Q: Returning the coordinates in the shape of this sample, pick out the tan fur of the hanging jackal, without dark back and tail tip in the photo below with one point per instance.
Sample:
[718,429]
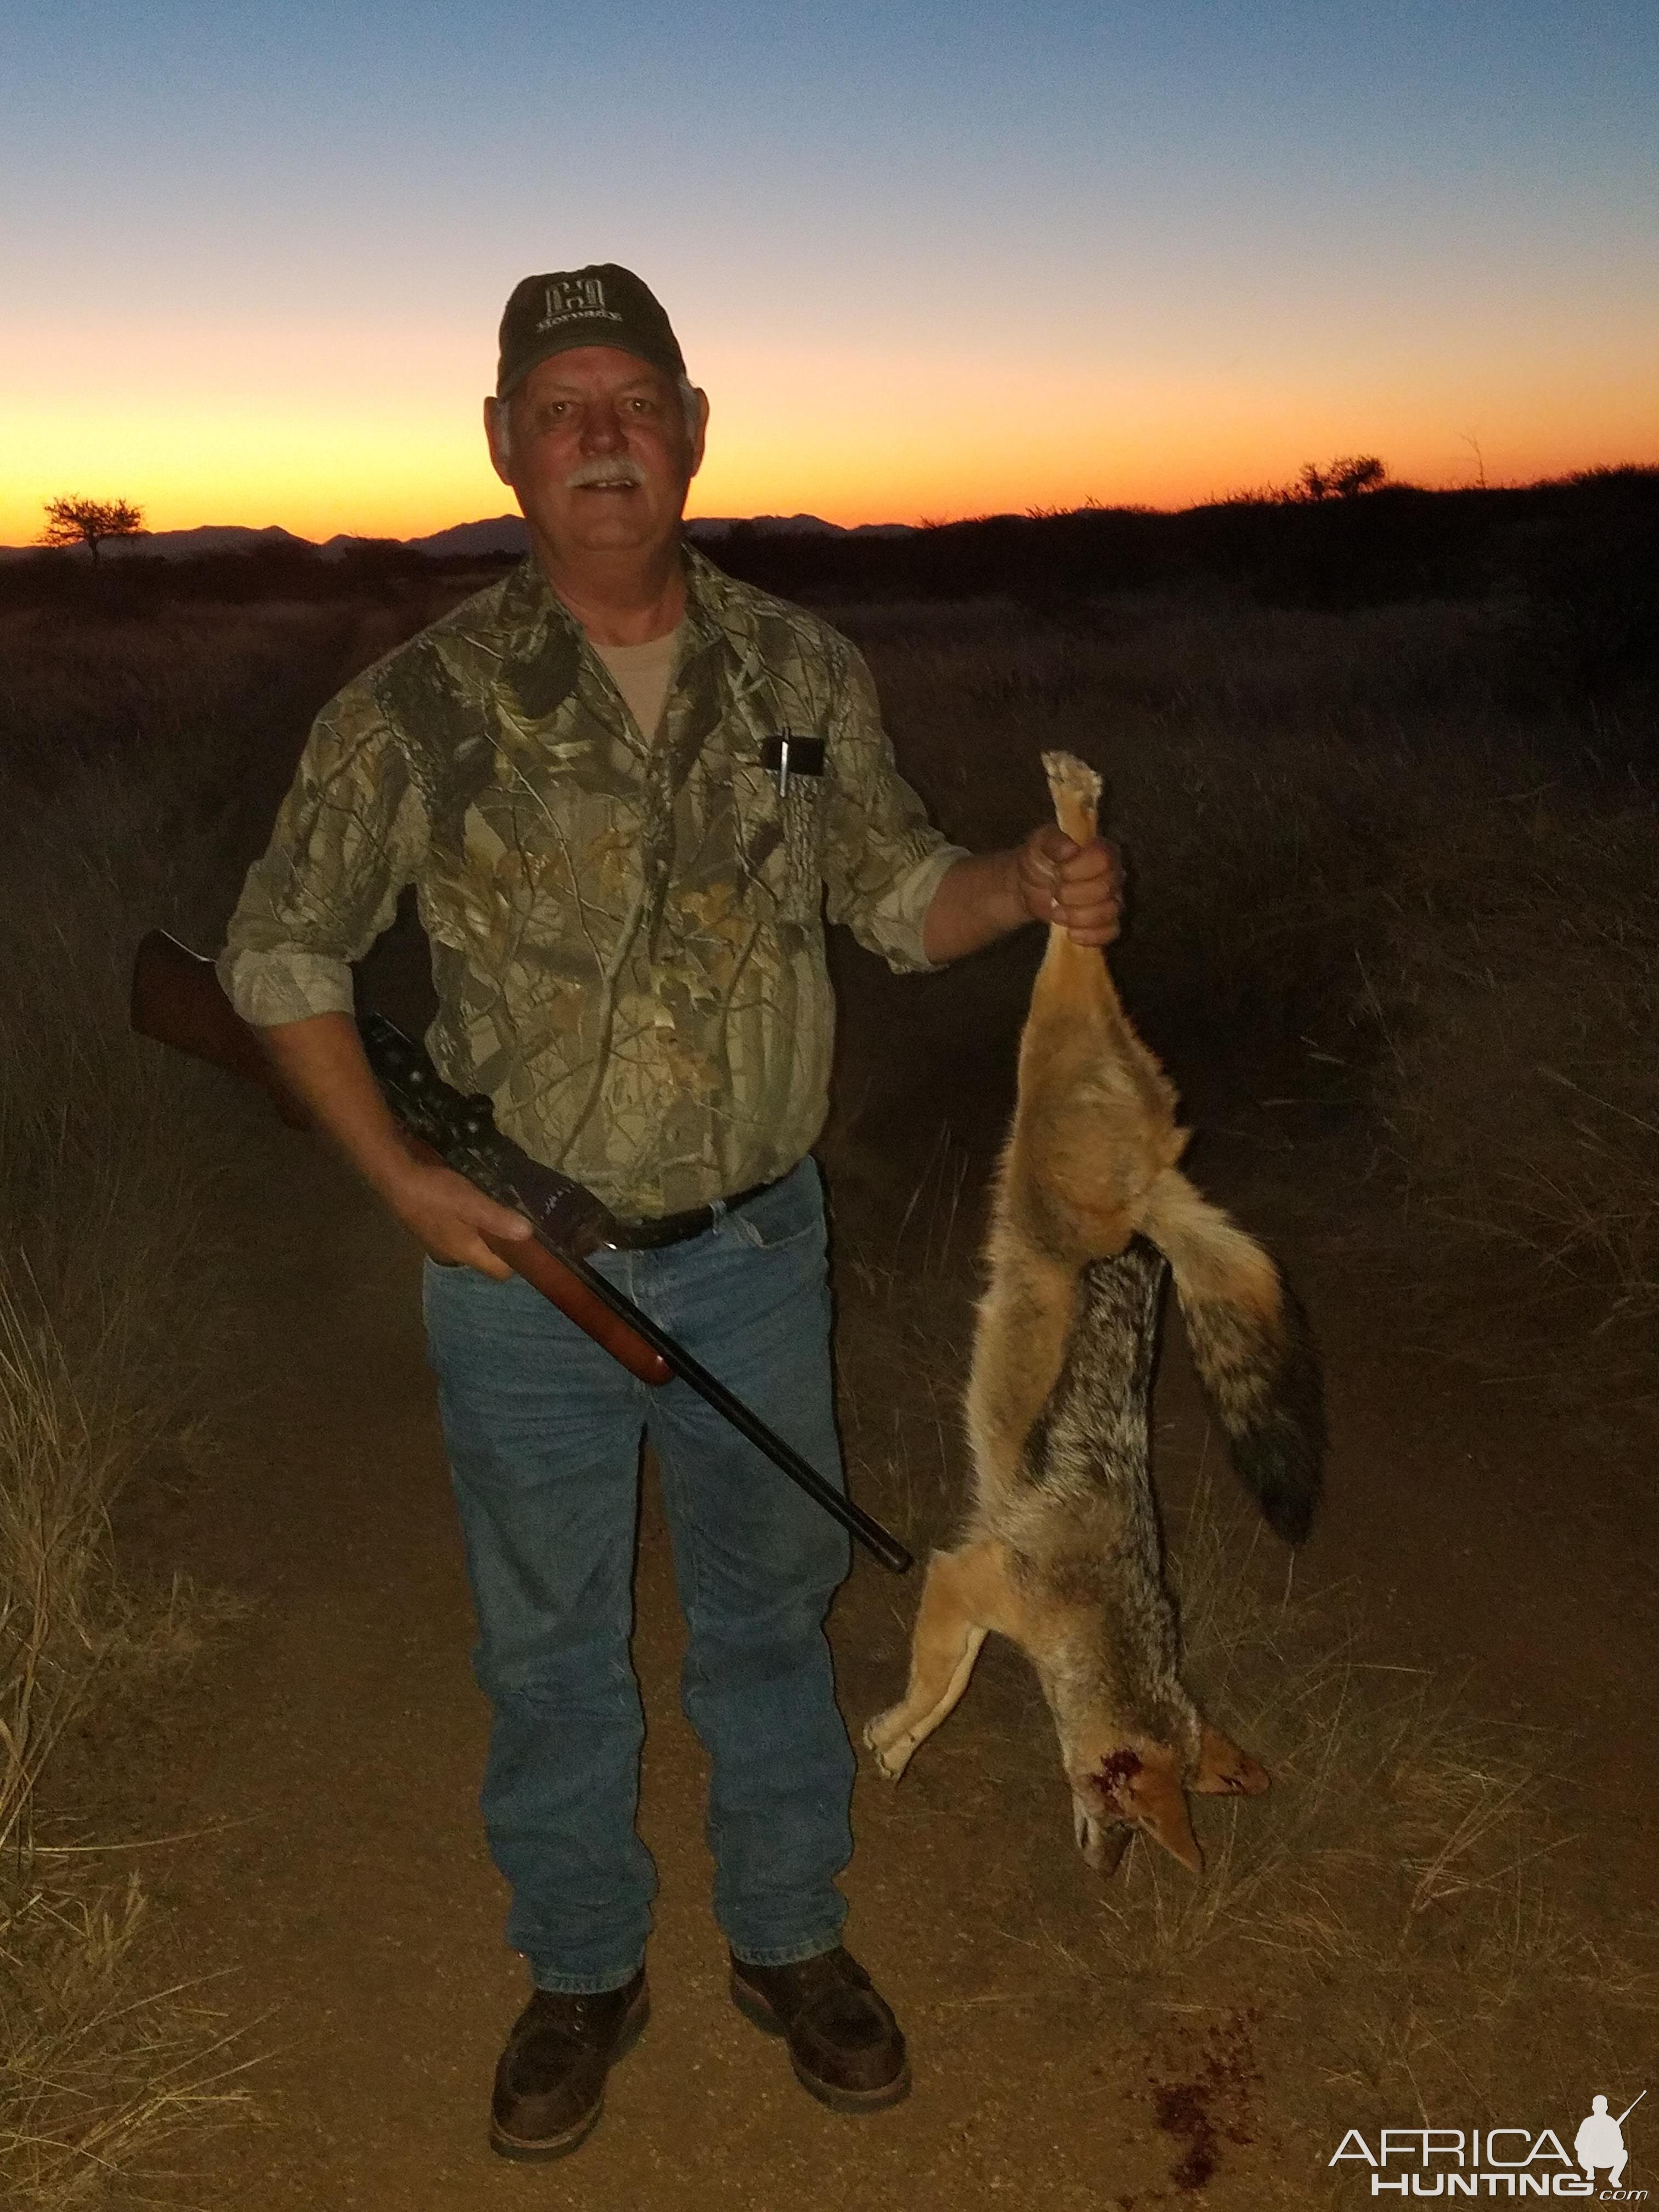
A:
[1063,1572]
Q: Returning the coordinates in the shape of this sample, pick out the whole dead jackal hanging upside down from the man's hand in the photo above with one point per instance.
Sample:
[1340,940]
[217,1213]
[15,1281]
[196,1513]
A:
[1063,1547]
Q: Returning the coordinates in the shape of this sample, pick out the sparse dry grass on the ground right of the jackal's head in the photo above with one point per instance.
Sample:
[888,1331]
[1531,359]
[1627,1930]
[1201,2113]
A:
[1404,1903]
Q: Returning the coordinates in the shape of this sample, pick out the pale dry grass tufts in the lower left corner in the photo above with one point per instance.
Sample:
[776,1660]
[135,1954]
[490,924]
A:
[98,2065]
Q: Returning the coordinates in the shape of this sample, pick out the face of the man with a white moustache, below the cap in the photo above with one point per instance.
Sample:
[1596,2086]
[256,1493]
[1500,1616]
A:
[596,450]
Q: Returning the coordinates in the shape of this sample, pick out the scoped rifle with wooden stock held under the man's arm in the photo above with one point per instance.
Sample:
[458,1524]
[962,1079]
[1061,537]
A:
[180,1001]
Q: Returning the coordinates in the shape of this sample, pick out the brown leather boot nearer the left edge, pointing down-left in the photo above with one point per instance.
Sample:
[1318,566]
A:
[550,2083]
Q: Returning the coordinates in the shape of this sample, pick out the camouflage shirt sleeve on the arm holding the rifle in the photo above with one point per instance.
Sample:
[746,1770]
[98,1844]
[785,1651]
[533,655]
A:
[346,842]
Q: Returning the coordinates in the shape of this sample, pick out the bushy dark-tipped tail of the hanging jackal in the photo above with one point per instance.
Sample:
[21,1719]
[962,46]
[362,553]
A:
[1251,1348]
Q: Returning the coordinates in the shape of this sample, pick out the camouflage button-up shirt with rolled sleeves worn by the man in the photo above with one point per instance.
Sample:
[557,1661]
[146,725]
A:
[627,937]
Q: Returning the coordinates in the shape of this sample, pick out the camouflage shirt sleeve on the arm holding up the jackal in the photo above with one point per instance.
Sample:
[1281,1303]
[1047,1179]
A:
[881,855]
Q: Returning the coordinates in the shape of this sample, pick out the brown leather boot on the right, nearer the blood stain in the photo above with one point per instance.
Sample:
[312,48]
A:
[846,2045]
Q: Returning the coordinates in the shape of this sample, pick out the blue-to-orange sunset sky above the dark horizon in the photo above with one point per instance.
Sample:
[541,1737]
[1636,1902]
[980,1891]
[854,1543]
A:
[928,260]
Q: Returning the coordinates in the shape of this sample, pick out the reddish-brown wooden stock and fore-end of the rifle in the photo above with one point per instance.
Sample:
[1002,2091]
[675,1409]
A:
[180,1001]
